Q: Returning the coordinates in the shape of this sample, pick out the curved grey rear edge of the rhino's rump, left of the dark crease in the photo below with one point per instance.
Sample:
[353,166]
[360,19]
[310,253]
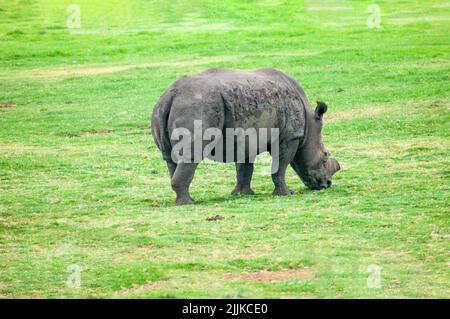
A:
[159,124]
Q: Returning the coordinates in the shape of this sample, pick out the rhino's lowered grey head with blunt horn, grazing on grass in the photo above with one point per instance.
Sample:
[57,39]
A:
[312,162]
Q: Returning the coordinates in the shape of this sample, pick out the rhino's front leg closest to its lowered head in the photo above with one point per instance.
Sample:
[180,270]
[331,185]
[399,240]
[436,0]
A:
[286,154]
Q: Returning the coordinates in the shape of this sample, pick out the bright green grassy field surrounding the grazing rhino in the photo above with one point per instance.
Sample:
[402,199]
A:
[86,208]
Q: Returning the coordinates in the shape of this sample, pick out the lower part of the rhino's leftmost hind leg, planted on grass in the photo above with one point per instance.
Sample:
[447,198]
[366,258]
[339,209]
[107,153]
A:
[181,180]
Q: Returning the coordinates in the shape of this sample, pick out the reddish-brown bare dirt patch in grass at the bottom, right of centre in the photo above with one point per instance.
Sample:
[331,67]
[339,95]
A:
[279,275]
